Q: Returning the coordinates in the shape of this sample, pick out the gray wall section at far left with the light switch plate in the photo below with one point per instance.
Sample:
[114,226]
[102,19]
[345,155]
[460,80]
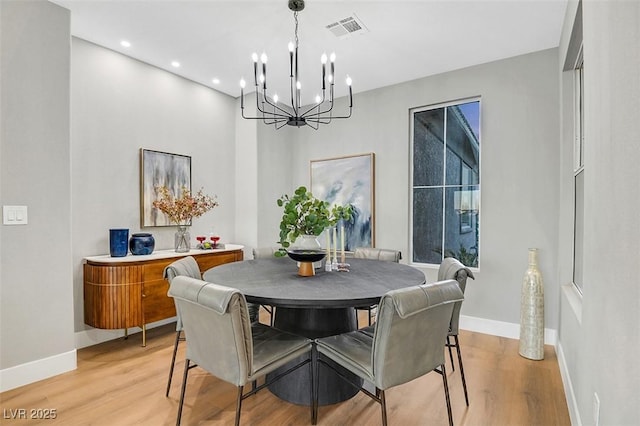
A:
[36,294]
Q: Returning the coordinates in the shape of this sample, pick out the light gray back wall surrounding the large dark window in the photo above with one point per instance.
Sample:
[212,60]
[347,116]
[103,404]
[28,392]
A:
[520,135]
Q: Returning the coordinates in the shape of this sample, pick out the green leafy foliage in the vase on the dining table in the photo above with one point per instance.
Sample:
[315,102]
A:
[304,214]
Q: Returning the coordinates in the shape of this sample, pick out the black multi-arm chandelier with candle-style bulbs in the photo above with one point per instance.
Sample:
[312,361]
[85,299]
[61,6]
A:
[295,114]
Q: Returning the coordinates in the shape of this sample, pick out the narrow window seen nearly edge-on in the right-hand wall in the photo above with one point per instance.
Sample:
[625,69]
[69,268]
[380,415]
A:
[578,176]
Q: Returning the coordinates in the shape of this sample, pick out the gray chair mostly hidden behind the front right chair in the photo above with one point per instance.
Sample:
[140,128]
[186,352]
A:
[452,269]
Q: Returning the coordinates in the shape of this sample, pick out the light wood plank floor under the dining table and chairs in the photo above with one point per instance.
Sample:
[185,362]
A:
[121,383]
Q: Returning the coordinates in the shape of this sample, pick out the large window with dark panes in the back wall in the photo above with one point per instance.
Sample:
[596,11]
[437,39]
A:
[445,181]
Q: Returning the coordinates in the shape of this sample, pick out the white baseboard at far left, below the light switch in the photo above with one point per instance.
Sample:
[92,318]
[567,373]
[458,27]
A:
[23,374]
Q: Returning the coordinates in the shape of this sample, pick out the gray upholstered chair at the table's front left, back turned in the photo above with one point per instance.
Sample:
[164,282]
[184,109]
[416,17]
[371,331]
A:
[226,344]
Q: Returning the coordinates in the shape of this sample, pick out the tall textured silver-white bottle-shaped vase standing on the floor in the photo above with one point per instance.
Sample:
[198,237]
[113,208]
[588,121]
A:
[532,311]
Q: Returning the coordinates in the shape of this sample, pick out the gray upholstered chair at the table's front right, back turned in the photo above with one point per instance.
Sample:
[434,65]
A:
[406,343]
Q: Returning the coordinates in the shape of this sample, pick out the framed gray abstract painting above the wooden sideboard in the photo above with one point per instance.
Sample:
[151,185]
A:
[161,169]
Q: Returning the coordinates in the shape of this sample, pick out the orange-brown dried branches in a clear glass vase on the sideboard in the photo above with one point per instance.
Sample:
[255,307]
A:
[181,210]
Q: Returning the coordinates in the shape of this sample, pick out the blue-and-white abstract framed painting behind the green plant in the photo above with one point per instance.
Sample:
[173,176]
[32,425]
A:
[349,180]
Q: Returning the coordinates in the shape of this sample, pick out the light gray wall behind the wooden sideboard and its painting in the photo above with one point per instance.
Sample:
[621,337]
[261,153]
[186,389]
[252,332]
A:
[119,106]
